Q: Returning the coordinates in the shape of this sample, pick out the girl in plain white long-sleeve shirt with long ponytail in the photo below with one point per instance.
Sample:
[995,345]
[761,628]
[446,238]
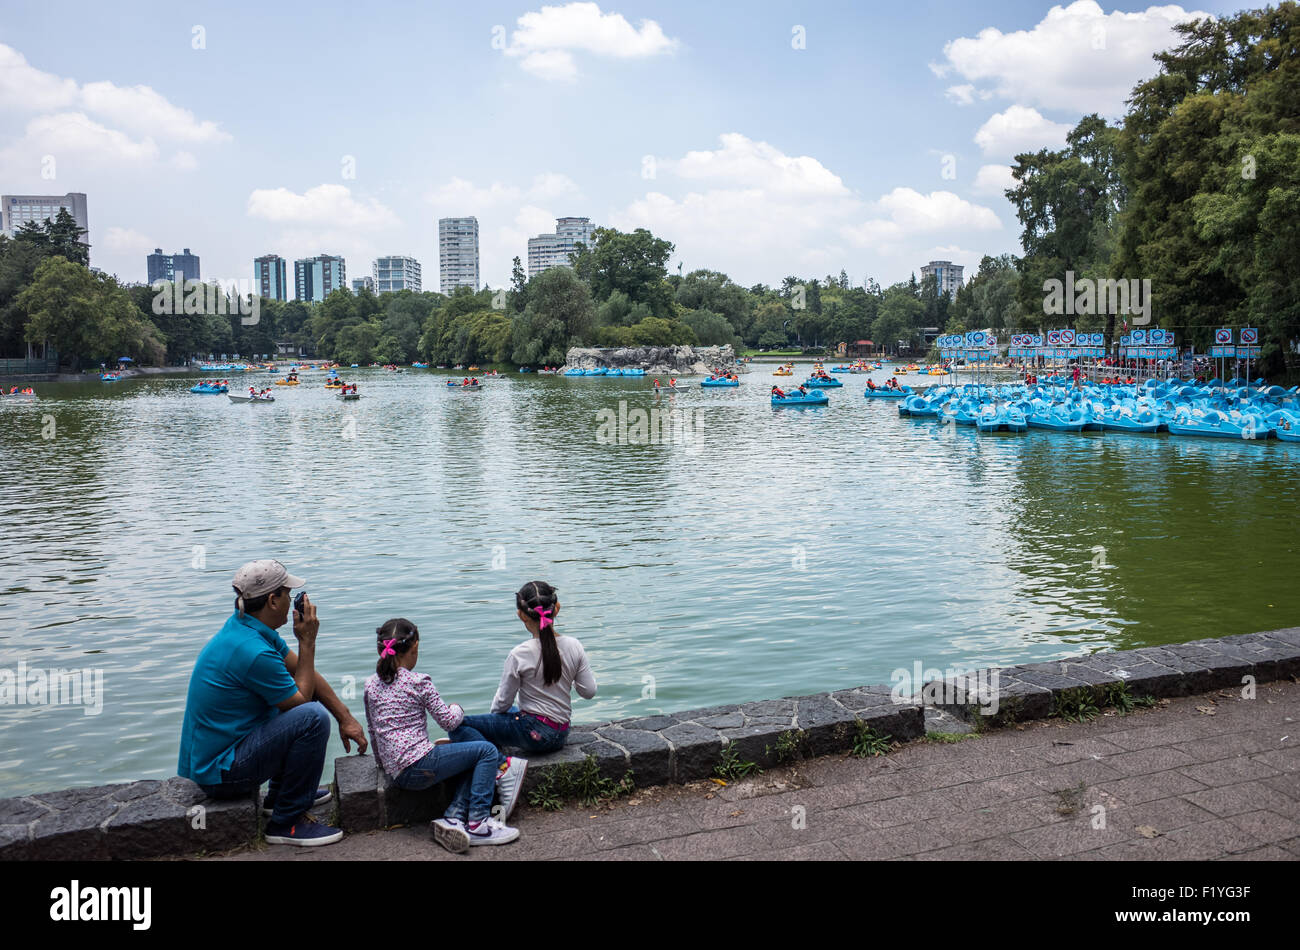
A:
[541,673]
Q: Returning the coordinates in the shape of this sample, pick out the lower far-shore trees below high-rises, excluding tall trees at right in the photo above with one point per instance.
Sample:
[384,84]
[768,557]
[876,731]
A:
[618,292]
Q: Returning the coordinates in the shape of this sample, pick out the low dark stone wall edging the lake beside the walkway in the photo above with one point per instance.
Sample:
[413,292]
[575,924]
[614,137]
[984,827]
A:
[153,819]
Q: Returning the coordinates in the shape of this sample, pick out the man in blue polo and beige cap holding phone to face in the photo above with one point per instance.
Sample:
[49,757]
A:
[258,712]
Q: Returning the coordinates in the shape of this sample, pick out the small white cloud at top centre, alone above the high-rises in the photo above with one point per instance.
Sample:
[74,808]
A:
[547,40]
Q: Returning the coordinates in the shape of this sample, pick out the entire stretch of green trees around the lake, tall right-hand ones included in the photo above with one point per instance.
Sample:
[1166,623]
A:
[1197,190]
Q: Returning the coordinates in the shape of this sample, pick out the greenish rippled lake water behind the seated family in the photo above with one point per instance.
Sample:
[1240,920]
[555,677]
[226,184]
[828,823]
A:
[774,553]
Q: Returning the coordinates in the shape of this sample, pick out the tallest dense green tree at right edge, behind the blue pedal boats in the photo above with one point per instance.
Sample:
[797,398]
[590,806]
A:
[1212,159]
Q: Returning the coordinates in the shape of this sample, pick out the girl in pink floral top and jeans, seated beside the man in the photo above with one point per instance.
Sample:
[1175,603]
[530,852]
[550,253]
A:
[397,702]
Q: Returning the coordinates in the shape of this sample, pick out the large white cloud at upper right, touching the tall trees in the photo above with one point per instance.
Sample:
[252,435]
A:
[1077,58]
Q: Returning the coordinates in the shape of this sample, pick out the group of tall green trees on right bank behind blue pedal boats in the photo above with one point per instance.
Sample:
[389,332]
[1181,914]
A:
[1197,190]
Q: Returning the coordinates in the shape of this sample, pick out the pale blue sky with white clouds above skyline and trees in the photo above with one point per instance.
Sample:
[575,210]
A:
[762,140]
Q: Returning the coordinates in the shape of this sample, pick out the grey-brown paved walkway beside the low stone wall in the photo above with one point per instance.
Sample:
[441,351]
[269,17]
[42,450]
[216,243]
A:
[1204,778]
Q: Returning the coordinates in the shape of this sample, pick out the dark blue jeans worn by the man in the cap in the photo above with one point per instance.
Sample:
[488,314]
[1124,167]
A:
[291,752]
